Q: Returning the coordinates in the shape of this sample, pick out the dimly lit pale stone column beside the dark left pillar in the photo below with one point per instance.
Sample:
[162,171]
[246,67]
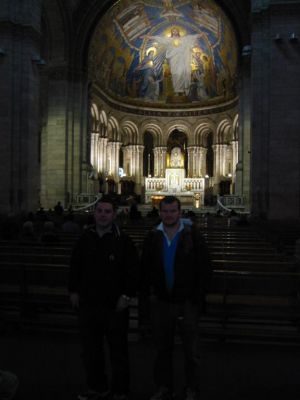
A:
[62,144]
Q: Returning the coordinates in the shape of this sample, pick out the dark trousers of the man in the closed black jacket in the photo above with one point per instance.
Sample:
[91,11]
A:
[96,324]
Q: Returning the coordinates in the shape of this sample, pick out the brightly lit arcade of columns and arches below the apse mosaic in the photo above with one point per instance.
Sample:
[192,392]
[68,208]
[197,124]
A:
[139,148]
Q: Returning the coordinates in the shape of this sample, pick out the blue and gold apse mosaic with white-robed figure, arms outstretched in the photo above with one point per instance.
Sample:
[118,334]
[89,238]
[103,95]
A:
[160,52]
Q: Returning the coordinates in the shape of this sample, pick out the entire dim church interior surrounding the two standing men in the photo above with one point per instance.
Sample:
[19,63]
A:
[142,99]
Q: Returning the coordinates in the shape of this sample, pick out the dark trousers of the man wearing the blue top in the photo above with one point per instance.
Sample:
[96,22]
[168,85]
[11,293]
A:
[165,318]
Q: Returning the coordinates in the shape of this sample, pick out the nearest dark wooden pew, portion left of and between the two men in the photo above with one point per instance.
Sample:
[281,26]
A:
[34,295]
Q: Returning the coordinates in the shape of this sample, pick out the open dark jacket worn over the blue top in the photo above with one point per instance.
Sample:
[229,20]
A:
[192,269]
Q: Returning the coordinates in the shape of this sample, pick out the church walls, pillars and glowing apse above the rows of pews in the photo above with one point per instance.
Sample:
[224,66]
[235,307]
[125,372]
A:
[153,97]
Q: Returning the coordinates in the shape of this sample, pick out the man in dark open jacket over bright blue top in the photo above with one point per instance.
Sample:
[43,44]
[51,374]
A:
[175,276]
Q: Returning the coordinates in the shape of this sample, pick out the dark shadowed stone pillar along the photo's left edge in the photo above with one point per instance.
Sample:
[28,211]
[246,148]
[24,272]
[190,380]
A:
[21,68]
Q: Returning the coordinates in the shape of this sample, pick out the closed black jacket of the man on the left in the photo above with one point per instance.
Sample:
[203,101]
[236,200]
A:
[102,269]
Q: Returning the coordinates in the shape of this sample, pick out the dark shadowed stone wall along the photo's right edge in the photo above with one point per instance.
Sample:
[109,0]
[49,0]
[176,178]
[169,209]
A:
[275,83]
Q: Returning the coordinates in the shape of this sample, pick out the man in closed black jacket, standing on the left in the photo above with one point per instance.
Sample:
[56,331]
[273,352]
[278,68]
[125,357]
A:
[103,278]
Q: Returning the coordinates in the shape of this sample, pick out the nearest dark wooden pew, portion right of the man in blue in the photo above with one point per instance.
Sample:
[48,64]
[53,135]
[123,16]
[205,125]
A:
[249,304]
